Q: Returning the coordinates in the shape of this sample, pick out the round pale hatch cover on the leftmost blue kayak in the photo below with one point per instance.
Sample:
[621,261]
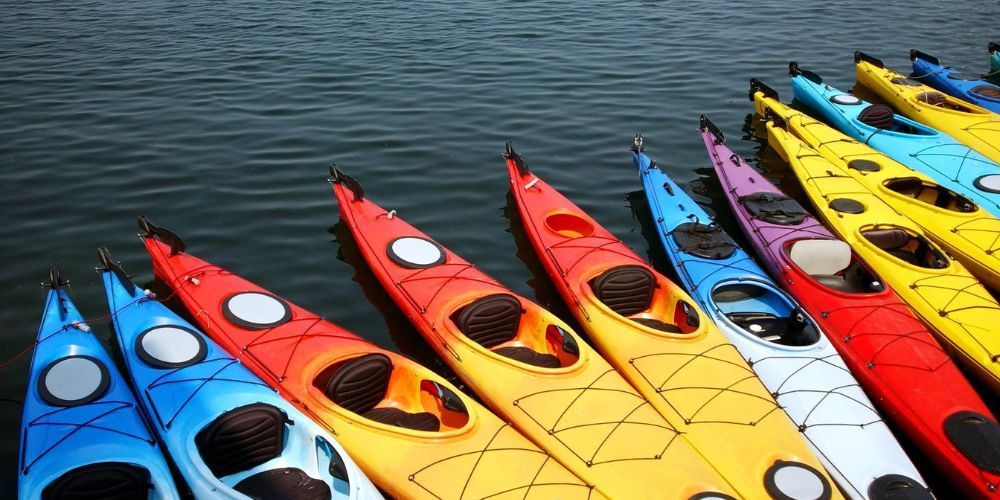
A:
[73,380]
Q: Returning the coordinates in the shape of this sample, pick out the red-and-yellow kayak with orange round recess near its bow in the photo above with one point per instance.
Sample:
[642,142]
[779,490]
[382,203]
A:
[655,335]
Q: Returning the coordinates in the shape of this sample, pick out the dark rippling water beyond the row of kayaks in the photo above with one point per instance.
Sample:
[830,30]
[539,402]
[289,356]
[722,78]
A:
[218,119]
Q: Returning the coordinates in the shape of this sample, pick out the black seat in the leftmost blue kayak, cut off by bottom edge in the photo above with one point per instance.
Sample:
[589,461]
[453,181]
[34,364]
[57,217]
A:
[104,480]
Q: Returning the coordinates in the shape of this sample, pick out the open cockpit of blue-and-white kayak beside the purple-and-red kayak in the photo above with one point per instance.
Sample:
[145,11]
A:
[764,313]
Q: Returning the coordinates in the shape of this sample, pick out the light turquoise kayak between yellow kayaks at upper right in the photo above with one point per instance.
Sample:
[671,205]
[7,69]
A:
[922,148]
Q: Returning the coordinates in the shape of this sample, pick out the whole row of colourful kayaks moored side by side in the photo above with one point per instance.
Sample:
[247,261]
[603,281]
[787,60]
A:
[741,380]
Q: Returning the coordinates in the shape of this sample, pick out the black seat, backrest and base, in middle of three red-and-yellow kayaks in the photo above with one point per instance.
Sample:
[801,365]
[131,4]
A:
[495,319]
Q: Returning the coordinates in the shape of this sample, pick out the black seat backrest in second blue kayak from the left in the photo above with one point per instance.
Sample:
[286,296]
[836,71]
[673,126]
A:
[242,439]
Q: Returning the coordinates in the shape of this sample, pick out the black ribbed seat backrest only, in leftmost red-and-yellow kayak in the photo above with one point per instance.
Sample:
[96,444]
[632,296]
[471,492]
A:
[361,383]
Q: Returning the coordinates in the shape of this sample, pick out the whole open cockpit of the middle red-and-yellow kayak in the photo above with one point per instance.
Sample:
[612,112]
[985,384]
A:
[501,323]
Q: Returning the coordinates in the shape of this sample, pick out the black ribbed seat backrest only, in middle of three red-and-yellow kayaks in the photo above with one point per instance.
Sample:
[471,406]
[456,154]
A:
[490,320]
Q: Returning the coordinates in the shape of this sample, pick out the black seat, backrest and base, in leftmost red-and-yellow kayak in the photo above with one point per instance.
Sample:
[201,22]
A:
[360,384]
